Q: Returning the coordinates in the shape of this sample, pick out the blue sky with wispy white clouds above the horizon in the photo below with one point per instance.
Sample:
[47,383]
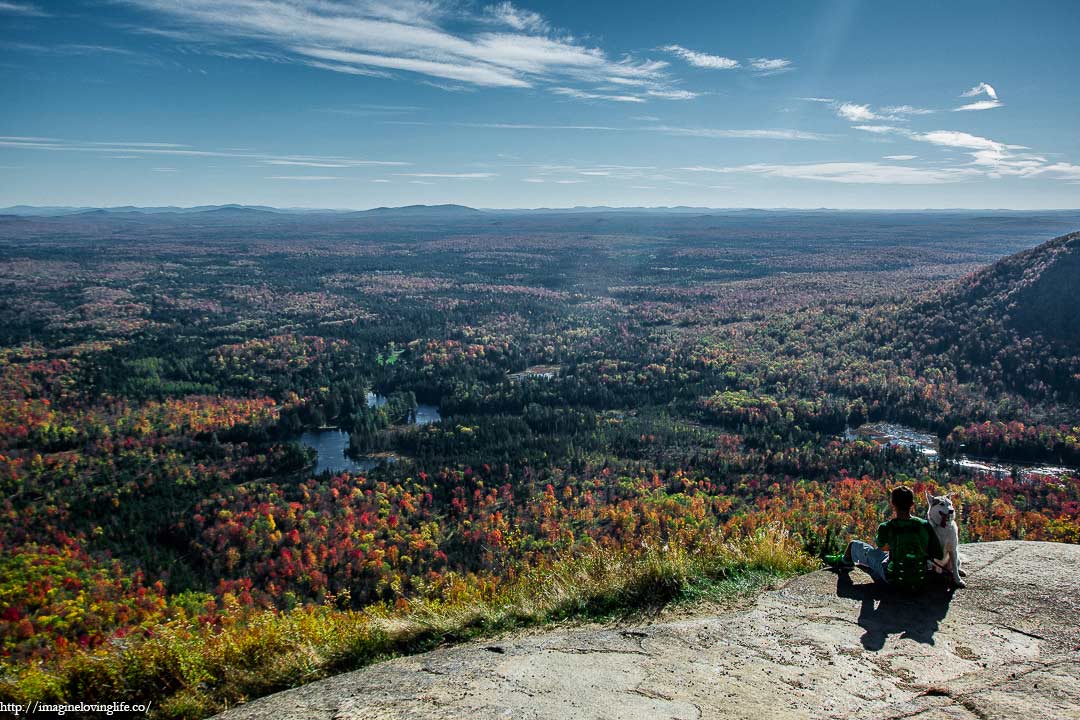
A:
[359,104]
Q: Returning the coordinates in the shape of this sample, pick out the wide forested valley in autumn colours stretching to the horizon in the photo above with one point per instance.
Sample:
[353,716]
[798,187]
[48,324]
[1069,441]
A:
[255,420]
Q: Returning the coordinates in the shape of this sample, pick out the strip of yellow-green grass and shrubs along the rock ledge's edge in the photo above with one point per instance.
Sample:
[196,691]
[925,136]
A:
[192,670]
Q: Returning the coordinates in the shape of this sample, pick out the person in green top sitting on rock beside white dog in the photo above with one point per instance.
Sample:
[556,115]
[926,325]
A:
[904,545]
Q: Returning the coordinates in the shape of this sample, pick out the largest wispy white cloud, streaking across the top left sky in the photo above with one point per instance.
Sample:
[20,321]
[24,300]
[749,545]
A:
[502,46]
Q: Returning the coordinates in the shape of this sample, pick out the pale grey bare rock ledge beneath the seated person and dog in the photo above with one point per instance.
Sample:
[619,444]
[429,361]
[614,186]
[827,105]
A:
[823,646]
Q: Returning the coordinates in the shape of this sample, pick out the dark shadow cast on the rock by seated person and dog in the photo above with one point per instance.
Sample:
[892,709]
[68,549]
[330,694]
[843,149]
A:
[885,612]
